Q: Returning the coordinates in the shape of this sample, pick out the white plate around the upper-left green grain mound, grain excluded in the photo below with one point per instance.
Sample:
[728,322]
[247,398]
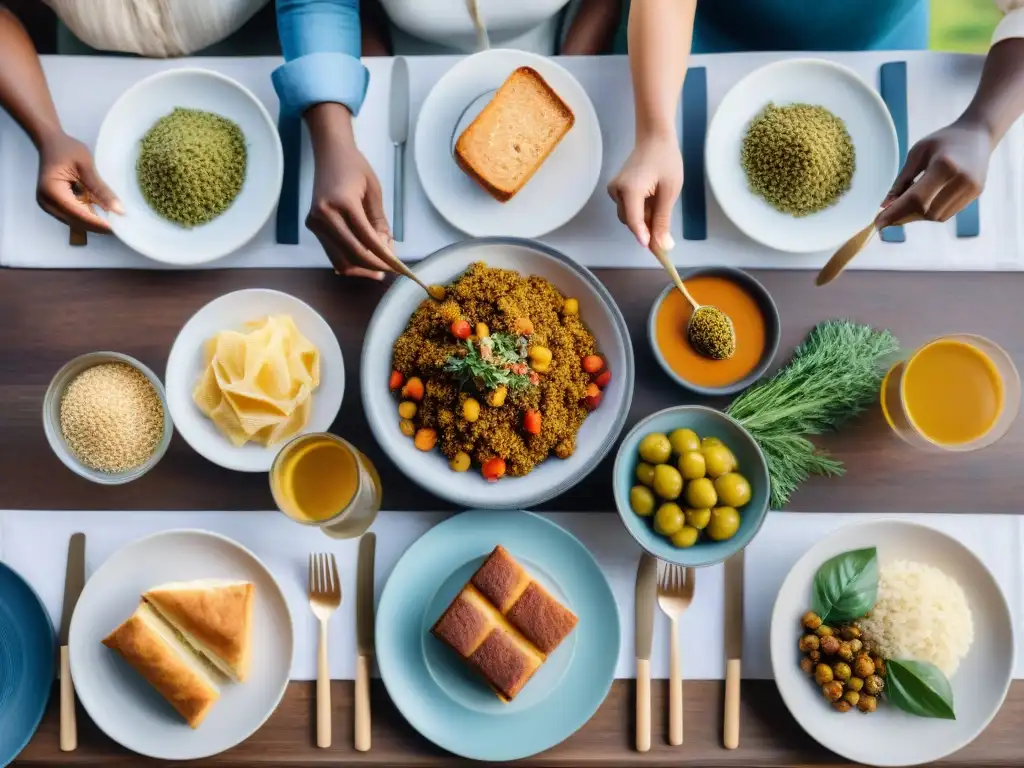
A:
[117,154]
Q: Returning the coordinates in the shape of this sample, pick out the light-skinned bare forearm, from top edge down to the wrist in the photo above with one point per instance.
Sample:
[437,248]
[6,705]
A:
[660,36]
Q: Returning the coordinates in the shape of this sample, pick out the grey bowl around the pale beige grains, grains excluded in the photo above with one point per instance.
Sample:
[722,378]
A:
[52,419]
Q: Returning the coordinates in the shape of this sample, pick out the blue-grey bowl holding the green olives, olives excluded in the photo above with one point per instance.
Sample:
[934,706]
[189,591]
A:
[707,422]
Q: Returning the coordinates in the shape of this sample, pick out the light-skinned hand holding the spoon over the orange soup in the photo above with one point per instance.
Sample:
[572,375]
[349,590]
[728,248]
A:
[648,188]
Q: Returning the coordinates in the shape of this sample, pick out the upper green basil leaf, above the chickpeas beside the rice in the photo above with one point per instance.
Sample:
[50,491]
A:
[846,587]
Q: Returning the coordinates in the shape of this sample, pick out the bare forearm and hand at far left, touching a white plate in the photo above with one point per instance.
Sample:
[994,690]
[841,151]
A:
[68,182]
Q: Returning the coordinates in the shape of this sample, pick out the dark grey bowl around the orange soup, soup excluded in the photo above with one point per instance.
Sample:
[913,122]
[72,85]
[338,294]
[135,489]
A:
[774,328]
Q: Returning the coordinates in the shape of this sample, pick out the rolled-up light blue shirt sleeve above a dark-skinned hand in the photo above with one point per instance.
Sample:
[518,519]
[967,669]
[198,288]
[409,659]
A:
[321,40]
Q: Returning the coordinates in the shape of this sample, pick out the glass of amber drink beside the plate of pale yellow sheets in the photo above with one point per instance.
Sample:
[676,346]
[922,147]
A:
[321,480]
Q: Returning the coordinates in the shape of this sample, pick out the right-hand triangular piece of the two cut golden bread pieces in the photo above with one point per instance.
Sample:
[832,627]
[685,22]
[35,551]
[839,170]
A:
[215,616]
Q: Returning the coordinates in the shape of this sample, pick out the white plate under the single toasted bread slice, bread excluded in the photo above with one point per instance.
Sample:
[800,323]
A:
[560,189]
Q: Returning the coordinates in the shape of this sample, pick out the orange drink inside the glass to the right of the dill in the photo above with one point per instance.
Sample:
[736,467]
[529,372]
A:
[953,393]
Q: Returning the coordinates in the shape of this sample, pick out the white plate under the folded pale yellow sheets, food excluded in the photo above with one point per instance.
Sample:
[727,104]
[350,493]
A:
[185,366]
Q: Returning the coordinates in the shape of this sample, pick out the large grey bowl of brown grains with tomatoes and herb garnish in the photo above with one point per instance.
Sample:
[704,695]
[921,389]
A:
[511,390]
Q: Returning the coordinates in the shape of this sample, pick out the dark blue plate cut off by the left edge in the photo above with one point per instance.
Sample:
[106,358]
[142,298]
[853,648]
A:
[28,654]
